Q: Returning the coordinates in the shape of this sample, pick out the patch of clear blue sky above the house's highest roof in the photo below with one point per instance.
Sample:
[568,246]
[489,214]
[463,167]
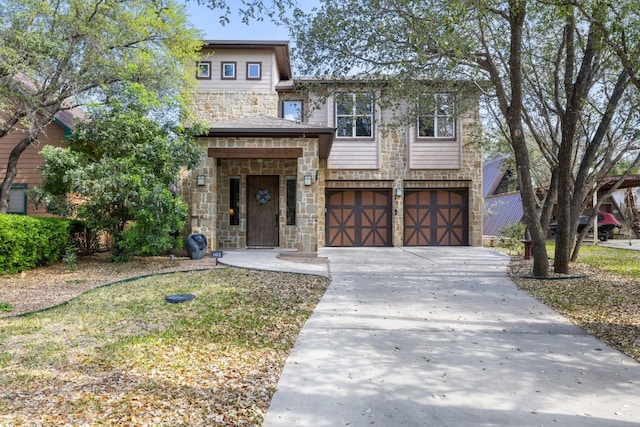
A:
[207,21]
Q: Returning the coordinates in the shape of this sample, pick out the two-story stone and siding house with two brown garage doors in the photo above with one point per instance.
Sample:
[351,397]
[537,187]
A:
[277,173]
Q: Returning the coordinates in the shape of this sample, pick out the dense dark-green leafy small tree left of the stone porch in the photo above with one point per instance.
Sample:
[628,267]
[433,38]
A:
[119,166]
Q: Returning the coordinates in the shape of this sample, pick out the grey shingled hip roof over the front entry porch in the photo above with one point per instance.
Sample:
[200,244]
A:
[272,127]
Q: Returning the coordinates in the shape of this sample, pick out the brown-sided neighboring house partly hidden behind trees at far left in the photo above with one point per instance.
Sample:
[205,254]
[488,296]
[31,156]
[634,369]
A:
[29,175]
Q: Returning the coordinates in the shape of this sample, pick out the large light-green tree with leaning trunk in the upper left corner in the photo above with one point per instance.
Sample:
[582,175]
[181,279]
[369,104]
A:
[55,55]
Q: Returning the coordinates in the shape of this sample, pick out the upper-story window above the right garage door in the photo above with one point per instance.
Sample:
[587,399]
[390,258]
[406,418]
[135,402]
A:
[437,119]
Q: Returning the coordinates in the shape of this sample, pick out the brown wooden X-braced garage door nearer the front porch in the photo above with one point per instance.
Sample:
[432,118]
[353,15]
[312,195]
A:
[358,218]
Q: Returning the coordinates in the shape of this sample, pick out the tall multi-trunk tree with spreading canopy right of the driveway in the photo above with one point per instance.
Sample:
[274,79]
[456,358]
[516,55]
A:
[513,45]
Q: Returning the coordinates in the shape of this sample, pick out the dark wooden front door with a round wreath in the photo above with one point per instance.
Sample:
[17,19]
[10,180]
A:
[262,211]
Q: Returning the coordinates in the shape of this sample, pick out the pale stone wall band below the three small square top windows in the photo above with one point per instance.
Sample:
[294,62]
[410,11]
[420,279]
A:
[214,106]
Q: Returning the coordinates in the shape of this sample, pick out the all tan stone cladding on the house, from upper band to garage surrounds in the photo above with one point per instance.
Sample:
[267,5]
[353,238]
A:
[309,232]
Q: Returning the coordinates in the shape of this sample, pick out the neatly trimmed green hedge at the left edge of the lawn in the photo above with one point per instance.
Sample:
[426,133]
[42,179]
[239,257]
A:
[28,242]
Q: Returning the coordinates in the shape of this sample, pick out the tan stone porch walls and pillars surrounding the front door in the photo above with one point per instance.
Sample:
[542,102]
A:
[210,216]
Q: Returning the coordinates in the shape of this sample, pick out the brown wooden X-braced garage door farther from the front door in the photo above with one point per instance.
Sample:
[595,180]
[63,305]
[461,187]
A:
[436,217]
